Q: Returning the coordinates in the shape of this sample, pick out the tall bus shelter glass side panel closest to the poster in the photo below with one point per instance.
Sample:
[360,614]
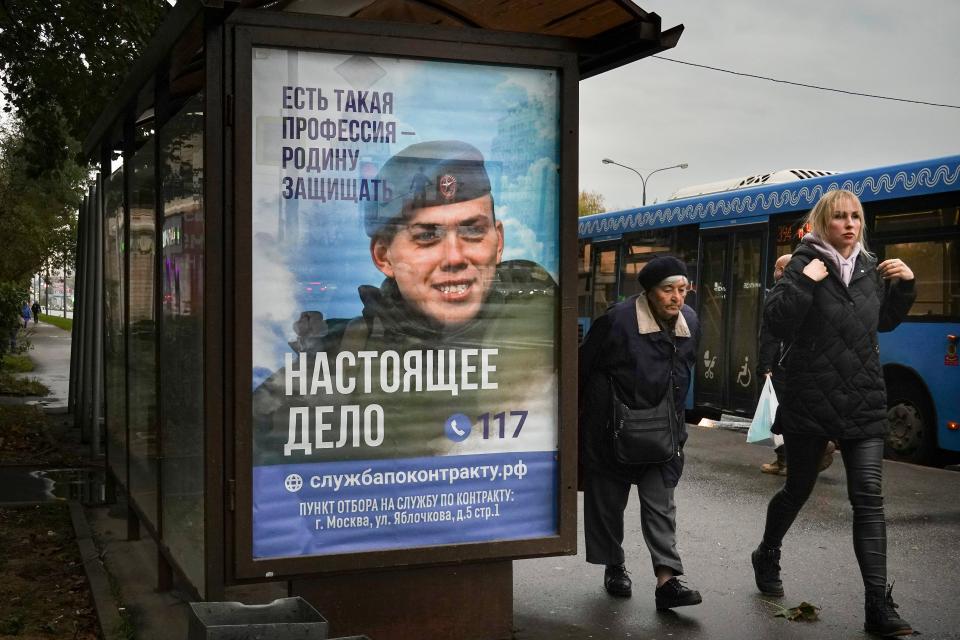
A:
[181,338]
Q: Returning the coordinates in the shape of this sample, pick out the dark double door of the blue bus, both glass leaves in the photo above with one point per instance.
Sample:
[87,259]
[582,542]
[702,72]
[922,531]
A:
[729,295]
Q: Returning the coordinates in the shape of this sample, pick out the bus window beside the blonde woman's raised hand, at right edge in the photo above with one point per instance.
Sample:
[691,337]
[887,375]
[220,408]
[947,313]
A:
[936,266]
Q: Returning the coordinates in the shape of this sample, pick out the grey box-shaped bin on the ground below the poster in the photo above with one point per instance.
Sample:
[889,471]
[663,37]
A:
[282,619]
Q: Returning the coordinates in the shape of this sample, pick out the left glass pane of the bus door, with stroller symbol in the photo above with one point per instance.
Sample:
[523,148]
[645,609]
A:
[713,306]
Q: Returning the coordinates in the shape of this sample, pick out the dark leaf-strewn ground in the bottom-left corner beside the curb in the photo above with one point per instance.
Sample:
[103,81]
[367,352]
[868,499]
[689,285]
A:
[43,587]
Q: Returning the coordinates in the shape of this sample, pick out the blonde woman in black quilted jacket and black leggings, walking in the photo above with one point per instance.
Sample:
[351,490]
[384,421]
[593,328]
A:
[829,305]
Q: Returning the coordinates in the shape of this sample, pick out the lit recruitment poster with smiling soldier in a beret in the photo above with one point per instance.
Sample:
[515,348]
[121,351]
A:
[405,303]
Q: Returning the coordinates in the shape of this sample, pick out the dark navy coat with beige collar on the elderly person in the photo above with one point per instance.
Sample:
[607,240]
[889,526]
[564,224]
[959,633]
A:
[626,346]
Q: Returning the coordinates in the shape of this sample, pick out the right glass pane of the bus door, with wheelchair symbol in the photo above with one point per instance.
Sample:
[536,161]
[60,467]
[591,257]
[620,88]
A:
[746,292]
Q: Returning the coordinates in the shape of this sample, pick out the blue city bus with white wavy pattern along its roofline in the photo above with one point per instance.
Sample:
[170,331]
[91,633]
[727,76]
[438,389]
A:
[729,241]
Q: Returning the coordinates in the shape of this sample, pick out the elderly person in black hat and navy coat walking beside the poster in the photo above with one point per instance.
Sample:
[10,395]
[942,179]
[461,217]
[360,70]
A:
[639,353]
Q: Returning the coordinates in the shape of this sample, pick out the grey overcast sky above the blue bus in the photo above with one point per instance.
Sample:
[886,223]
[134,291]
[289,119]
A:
[655,113]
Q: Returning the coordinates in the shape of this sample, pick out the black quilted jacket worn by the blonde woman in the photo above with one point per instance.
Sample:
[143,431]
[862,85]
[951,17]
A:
[834,382]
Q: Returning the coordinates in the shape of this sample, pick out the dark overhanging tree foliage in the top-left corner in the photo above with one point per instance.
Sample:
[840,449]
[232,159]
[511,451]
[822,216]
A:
[61,60]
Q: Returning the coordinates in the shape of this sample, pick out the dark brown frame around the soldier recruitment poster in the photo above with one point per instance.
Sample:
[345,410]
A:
[380,39]
